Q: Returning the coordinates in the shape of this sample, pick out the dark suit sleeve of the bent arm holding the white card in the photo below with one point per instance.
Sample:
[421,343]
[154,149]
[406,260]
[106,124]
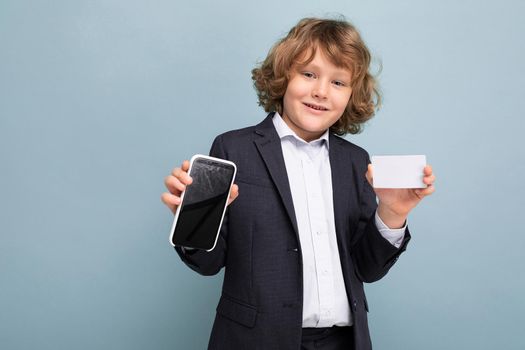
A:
[372,254]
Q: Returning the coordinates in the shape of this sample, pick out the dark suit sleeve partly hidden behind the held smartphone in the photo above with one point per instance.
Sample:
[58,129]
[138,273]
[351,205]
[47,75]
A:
[201,261]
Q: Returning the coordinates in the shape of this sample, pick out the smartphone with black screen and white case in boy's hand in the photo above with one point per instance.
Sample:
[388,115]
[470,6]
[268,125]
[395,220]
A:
[198,218]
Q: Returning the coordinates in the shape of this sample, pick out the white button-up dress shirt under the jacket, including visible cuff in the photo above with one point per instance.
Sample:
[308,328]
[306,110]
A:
[325,302]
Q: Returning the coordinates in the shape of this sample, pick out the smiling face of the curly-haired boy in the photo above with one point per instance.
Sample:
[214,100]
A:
[316,97]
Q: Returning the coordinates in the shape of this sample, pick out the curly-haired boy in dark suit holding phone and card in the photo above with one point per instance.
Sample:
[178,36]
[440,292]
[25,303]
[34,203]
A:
[303,230]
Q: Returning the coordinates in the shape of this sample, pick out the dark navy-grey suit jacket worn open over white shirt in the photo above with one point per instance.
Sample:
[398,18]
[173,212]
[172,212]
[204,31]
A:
[261,302]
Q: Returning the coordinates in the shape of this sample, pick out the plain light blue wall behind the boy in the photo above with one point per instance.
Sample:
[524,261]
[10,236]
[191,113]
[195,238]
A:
[99,100]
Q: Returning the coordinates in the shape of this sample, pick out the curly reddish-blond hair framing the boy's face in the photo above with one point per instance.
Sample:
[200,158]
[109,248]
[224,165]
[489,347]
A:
[342,44]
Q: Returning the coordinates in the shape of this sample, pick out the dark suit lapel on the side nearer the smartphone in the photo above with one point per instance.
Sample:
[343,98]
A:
[269,146]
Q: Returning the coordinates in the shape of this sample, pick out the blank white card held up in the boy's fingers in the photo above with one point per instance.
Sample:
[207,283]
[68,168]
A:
[398,171]
